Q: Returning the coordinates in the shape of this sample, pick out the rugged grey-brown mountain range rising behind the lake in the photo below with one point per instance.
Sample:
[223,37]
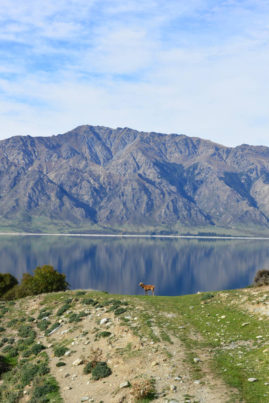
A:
[97,176]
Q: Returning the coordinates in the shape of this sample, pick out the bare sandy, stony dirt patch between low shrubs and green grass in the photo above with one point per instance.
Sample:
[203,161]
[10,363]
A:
[133,361]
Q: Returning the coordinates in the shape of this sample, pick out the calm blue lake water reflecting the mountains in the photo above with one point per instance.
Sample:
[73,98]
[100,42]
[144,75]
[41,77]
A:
[175,266]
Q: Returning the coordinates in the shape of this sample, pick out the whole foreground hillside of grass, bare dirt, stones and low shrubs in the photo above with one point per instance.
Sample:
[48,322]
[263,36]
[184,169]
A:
[90,346]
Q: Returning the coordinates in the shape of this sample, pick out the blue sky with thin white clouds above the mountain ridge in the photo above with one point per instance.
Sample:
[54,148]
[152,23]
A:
[197,67]
